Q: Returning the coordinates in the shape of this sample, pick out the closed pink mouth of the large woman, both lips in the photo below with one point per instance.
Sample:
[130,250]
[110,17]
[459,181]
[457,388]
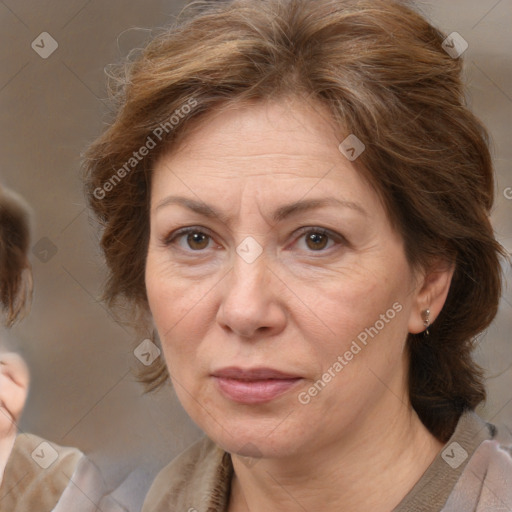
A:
[254,385]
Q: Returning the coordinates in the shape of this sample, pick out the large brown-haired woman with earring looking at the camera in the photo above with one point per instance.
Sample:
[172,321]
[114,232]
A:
[296,194]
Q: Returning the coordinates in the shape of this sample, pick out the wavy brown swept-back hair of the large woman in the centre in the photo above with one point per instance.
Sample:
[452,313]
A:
[381,70]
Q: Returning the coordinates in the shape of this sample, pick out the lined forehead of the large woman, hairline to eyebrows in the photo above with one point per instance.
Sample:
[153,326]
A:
[273,149]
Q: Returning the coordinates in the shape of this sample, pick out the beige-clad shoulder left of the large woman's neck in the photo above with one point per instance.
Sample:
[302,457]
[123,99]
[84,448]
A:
[191,480]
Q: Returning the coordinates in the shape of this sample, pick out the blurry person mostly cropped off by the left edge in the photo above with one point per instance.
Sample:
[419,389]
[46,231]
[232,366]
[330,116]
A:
[35,475]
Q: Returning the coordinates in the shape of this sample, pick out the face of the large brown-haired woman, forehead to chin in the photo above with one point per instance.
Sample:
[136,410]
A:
[283,328]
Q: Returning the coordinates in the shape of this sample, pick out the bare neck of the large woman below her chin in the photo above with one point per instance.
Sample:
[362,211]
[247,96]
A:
[390,449]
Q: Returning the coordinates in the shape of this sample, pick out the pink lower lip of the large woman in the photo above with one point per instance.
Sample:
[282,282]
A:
[256,391]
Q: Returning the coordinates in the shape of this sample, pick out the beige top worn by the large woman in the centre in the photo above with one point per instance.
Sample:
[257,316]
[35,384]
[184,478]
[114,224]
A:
[473,472]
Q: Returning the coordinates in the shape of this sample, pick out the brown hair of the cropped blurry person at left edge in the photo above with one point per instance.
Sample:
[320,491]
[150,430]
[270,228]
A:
[15,271]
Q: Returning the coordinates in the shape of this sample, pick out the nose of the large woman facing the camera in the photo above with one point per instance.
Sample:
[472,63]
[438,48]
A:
[252,297]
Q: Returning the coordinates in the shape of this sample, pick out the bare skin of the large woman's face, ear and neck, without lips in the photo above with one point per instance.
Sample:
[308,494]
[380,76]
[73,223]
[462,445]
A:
[296,308]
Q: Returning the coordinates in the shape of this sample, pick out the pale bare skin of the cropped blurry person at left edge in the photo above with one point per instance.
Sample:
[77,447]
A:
[14,383]
